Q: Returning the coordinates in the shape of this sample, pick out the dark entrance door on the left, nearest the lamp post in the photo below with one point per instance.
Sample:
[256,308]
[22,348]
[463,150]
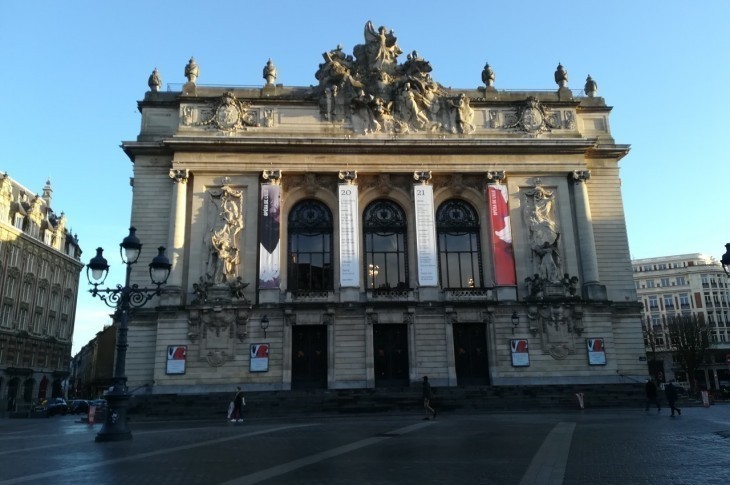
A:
[309,357]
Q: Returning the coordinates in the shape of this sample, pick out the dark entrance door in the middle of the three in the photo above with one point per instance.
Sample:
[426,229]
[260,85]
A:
[390,344]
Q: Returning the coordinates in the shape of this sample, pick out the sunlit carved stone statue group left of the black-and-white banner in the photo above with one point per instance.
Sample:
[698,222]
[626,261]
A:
[223,236]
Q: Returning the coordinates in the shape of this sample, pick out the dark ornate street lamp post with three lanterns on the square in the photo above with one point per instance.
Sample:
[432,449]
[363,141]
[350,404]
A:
[124,299]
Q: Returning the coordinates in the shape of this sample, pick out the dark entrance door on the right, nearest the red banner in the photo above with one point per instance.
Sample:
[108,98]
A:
[470,352]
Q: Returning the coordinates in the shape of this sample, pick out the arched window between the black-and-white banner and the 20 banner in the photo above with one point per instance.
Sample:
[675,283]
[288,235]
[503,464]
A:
[310,247]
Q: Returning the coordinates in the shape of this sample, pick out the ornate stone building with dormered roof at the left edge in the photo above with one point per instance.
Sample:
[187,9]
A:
[39,281]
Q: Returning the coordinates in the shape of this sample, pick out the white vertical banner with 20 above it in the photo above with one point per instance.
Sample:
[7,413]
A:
[349,233]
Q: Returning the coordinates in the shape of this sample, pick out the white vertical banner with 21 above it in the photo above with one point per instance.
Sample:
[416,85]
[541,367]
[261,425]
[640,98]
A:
[425,235]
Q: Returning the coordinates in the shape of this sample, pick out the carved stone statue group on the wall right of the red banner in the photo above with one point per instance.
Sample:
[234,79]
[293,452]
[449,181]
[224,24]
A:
[543,235]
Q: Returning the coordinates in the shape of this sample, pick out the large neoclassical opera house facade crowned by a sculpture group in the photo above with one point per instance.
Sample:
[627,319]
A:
[377,227]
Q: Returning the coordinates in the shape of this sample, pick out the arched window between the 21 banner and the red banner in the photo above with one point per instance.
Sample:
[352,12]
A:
[460,260]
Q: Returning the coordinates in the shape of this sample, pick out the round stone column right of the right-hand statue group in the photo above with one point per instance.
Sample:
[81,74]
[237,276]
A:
[592,289]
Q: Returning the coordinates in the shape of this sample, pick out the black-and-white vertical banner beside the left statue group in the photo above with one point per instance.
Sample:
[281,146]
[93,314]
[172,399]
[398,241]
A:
[269,245]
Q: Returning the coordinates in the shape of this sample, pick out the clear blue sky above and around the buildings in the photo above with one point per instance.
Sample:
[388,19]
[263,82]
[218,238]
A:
[72,72]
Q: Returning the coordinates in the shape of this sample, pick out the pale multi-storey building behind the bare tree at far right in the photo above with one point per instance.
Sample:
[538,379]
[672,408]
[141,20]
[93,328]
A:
[686,284]
